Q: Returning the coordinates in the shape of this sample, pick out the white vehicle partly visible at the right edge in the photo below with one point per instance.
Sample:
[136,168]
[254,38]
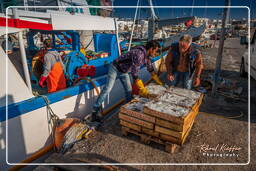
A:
[244,59]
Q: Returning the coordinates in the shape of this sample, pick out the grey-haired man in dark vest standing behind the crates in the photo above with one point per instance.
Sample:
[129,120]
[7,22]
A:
[184,63]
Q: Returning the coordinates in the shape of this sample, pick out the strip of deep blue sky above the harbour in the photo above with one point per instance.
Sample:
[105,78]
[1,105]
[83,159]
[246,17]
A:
[238,13]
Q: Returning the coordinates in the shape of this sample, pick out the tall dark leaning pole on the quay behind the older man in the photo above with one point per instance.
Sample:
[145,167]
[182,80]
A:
[221,46]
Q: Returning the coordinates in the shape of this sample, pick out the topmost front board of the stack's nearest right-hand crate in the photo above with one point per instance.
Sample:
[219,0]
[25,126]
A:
[174,119]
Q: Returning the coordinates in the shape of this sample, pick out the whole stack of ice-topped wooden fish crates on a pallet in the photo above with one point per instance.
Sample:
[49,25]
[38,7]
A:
[166,119]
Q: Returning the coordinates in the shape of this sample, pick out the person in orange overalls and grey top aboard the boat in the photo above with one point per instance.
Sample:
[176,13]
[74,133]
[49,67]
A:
[53,69]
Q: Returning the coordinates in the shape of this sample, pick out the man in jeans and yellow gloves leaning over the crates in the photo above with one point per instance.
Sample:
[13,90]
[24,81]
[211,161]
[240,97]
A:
[120,68]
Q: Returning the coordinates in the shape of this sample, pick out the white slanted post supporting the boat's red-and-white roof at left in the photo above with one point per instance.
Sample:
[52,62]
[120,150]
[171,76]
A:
[23,54]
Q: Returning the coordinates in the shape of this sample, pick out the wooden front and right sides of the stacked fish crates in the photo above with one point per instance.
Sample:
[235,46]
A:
[158,126]
